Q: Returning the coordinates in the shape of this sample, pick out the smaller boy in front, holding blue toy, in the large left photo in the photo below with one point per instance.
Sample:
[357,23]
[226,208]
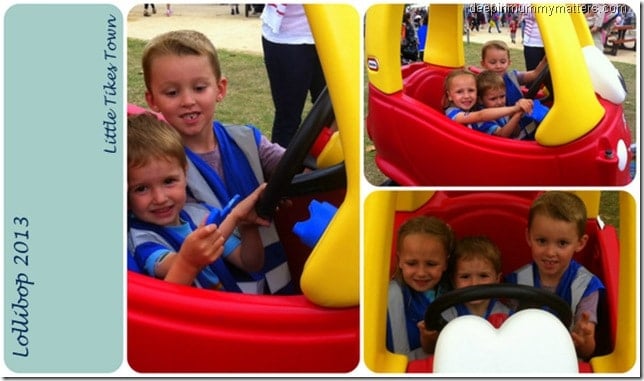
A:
[167,236]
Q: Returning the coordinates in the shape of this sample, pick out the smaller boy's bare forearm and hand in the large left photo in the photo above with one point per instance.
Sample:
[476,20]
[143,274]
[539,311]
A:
[200,248]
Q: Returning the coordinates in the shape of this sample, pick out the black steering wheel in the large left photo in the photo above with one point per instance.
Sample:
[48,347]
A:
[287,180]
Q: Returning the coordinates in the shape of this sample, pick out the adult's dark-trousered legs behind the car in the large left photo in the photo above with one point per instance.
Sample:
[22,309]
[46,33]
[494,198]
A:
[294,71]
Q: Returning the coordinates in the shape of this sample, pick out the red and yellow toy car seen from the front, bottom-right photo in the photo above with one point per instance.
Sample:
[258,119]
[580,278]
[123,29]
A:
[502,216]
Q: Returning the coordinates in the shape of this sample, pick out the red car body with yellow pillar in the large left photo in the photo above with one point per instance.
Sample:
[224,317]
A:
[178,329]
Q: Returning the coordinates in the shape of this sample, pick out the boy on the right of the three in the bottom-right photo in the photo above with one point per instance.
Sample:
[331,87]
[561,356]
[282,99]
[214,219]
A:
[556,232]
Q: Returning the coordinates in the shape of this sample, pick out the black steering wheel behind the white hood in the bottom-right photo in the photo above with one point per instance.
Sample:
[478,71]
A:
[526,296]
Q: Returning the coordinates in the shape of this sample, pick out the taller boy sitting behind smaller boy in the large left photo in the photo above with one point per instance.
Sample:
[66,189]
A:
[184,83]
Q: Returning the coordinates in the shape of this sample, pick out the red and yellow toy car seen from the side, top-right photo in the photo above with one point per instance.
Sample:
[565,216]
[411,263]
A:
[583,140]
